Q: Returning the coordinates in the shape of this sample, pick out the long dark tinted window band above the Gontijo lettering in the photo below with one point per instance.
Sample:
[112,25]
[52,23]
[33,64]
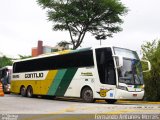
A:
[77,59]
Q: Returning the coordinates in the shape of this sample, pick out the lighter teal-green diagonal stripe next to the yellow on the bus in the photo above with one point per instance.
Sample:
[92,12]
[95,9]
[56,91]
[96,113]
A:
[55,84]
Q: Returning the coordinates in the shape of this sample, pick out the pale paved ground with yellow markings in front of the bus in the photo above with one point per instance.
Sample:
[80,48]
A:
[42,108]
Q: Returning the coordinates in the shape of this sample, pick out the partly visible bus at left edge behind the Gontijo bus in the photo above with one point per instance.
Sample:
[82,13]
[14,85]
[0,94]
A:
[5,78]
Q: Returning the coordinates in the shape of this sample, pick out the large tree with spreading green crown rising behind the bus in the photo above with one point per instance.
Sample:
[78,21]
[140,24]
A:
[99,17]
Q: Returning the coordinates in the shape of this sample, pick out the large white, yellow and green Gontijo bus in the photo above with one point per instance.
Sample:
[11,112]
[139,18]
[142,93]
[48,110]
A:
[107,73]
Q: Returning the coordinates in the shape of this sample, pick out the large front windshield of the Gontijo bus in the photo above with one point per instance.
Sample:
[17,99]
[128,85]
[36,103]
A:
[131,71]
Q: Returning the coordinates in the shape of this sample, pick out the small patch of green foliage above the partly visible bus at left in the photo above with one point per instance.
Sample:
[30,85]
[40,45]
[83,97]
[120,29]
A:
[4,61]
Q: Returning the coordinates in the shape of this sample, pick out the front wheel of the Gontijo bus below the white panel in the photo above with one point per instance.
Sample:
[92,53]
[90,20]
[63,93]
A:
[87,95]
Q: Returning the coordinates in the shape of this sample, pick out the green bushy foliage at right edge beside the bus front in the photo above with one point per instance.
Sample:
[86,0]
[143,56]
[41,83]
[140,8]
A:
[151,51]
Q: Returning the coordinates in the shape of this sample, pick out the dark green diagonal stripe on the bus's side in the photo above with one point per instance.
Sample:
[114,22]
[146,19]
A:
[65,82]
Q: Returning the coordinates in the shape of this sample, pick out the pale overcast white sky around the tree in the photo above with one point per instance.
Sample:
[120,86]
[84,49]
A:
[24,22]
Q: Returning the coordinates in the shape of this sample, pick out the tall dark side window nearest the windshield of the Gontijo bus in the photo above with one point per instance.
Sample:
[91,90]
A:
[105,66]
